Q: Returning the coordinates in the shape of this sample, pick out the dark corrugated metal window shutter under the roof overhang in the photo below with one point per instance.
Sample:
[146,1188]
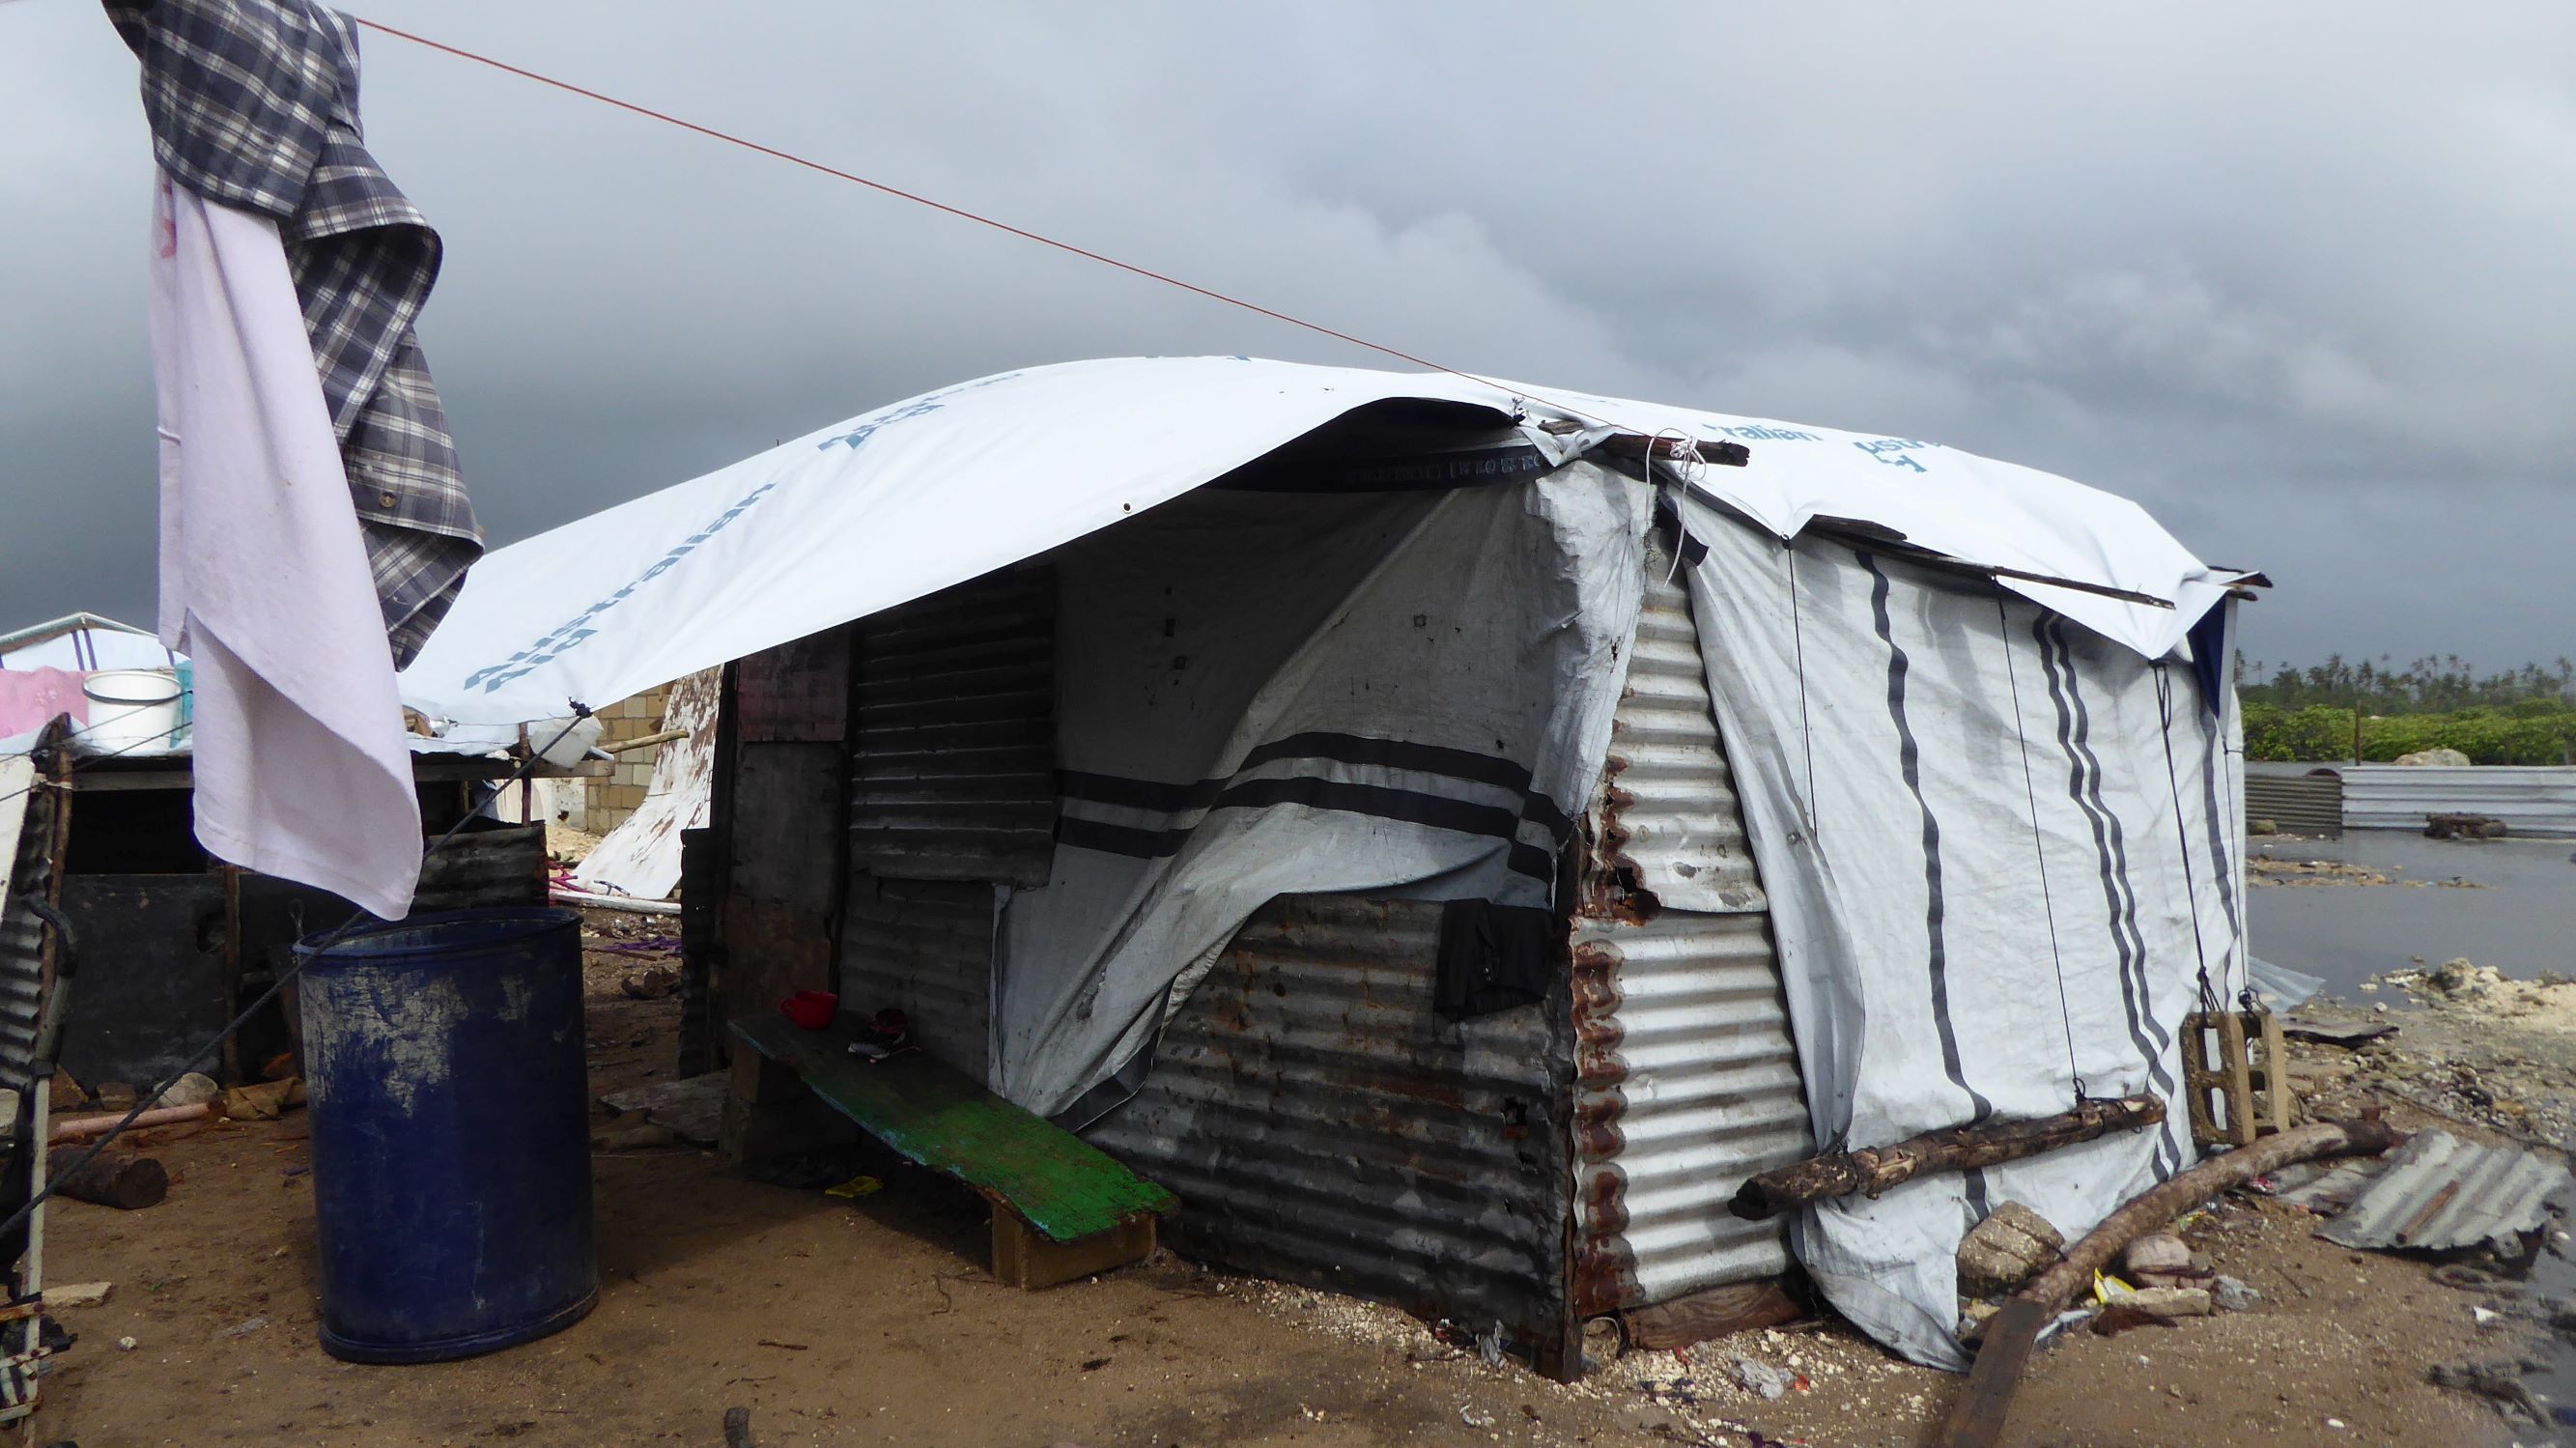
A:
[954,736]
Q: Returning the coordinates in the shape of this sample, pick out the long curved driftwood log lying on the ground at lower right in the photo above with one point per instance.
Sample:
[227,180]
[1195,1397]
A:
[1977,1418]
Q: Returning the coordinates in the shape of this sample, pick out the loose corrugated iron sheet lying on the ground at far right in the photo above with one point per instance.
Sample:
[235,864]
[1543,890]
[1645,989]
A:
[2441,1192]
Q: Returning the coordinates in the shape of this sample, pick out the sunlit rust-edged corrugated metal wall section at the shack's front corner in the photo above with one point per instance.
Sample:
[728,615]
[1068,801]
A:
[1689,1081]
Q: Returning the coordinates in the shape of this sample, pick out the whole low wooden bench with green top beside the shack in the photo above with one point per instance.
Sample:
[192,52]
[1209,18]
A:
[1060,1207]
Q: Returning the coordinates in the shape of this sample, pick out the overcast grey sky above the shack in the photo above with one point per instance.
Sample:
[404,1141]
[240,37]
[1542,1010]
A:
[2297,277]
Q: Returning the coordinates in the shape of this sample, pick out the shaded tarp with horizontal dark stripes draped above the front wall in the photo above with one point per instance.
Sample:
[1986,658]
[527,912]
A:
[1287,694]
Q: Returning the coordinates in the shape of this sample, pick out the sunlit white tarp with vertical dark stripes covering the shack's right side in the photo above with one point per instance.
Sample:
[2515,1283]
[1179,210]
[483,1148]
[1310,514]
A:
[2000,854]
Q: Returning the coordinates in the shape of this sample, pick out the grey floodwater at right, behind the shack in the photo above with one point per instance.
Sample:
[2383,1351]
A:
[2523,921]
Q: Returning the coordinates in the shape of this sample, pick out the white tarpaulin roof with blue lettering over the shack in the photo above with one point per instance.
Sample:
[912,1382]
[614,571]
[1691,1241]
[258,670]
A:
[957,483]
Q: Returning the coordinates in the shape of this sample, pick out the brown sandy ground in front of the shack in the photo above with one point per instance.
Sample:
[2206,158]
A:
[872,1320]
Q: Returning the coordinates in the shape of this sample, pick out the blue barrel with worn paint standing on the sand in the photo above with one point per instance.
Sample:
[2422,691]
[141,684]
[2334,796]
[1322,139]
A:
[450,1135]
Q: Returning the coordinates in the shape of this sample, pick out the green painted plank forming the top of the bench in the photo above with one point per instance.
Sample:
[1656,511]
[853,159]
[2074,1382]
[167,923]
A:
[947,1122]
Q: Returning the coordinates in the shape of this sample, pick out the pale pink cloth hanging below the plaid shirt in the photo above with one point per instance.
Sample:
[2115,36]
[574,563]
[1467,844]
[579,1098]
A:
[300,759]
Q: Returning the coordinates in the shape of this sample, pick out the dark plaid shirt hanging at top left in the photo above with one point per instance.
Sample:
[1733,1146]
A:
[256,104]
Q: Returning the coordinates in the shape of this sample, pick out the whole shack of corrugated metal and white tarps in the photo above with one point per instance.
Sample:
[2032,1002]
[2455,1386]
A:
[1449,834]
